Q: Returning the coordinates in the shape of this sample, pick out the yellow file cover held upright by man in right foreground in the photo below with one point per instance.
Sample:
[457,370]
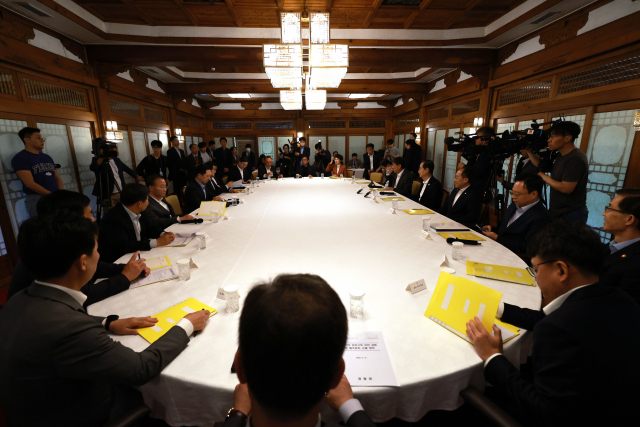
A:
[457,300]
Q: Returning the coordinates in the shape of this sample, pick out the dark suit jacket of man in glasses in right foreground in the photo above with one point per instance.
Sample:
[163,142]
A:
[577,378]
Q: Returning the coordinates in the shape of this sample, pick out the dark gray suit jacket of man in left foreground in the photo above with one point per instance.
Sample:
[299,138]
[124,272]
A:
[60,367]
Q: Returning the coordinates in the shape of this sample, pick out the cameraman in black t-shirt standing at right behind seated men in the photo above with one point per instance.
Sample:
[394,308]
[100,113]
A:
[568,180]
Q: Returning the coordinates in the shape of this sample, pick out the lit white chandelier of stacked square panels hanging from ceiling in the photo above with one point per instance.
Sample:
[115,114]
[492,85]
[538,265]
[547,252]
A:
[283,63]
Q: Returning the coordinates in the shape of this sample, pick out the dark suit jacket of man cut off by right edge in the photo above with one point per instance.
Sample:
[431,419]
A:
[622,270]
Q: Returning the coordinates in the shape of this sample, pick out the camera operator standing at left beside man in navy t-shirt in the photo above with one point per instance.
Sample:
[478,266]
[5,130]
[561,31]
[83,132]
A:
[109,171]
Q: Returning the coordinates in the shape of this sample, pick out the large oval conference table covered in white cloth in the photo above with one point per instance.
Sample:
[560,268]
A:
[319,226]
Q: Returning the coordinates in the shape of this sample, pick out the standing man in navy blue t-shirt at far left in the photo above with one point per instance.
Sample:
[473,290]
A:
[35,169]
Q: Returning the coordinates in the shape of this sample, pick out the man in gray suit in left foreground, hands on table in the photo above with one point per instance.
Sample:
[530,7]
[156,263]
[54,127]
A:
[58,364]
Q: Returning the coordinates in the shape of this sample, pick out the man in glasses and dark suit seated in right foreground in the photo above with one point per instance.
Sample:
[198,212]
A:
[584,355]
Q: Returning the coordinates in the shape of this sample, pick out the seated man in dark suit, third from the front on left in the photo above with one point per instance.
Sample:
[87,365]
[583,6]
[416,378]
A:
[122,232]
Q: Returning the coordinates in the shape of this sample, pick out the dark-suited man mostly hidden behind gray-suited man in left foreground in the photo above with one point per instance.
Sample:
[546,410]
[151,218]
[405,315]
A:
[117,277]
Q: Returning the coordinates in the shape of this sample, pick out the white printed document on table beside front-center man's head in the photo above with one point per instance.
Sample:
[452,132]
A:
[367,362]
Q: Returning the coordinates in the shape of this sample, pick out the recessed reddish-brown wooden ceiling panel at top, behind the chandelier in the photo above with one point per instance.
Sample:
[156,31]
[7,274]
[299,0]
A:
[375,14]
